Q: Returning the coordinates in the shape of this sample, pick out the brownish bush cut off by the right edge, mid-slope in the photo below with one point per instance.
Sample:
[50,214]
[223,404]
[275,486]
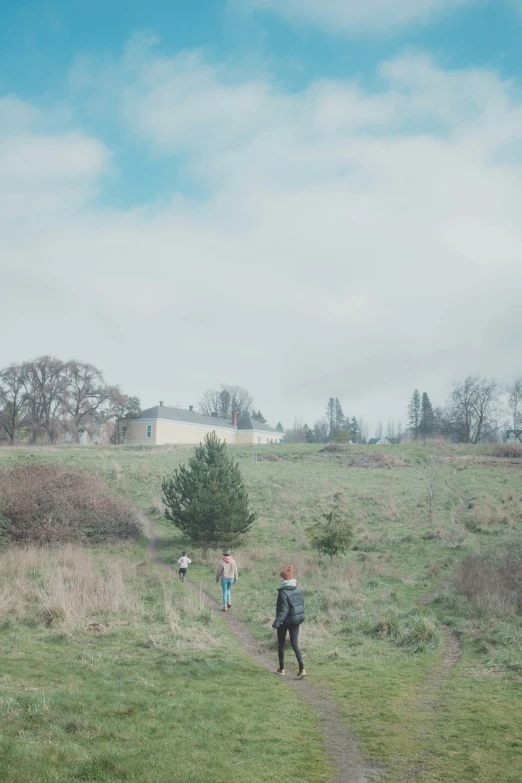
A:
[493,580]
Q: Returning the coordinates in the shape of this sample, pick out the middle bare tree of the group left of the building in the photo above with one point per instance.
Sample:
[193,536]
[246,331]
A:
[45,382]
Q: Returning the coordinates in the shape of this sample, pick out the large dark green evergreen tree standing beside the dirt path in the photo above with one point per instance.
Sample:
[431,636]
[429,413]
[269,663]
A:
[207,499]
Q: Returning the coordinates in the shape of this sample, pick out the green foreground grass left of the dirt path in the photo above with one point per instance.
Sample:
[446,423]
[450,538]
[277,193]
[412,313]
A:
[139,702]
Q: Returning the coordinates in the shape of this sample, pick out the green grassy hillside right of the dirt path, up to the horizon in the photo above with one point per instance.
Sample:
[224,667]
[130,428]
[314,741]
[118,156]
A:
[366,640]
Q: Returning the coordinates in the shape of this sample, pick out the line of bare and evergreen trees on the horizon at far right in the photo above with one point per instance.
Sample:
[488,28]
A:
[477,410]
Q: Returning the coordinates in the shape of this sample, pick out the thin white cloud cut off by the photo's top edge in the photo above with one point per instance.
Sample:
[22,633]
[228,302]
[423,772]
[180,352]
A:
[342,16]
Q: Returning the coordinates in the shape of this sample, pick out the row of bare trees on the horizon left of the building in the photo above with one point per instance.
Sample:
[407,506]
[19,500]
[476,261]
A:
[43,398]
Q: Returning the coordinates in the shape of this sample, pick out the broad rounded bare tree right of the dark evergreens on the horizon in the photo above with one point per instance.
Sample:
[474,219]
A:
[474,409]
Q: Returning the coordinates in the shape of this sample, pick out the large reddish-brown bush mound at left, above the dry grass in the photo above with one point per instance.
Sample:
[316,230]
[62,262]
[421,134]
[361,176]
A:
[53,503]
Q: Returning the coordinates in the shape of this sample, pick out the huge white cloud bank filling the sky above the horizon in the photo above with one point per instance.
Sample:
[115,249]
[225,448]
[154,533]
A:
[351,243]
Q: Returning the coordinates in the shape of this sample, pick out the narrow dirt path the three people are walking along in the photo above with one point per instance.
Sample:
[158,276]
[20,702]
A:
[340,744]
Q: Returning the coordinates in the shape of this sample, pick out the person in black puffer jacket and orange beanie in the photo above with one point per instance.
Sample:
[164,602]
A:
[289,616]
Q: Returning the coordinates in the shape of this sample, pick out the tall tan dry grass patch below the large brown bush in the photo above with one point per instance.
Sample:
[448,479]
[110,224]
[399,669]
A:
[70,587]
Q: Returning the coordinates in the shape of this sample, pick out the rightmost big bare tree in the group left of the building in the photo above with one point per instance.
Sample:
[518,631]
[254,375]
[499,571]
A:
[85,395]
